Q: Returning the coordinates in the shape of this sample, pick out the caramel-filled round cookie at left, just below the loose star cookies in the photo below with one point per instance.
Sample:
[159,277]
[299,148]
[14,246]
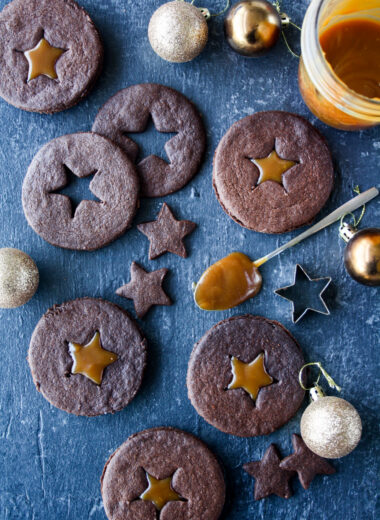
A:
[87,357]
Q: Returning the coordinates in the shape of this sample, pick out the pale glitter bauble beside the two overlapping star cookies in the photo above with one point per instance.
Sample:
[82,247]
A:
[331,427]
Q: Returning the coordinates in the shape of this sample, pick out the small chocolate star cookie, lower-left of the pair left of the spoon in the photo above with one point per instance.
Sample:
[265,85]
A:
[145,289]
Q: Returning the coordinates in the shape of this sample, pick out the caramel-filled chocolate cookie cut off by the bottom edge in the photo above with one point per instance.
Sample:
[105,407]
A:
[162,473]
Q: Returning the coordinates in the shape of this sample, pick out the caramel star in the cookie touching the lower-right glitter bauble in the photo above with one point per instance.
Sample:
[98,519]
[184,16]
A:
[250,376]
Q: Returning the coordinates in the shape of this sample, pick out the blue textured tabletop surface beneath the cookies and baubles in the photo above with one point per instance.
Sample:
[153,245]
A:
[52,460]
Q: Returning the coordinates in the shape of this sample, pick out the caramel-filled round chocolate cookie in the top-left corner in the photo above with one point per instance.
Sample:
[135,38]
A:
[50,54]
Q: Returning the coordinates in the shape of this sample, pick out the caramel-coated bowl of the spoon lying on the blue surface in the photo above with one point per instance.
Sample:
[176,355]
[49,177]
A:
[227,283]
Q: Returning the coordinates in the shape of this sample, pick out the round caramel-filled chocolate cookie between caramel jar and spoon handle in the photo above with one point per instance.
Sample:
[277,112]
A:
[272,172]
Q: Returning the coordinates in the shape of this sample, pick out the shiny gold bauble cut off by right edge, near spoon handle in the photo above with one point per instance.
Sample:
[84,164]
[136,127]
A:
[362,256]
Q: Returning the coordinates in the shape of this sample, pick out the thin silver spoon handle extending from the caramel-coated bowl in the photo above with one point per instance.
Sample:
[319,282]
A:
[349,206]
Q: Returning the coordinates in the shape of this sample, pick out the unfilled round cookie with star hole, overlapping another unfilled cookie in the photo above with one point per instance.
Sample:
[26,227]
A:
[92,224]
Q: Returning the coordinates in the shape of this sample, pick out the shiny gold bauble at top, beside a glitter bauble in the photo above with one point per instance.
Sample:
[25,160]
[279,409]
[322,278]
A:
[252,27]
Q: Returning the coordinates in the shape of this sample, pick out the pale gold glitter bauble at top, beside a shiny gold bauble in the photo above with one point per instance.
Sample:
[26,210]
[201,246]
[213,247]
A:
[178,31]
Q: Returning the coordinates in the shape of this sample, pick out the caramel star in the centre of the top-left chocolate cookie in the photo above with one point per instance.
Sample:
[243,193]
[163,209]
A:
[42,60]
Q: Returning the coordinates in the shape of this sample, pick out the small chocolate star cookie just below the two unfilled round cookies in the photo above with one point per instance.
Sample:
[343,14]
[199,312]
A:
[166,234]
